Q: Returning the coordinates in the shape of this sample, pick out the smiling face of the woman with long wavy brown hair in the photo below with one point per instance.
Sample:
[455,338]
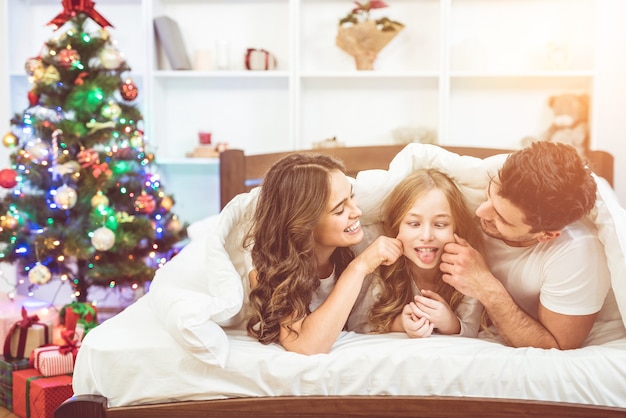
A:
[339,226]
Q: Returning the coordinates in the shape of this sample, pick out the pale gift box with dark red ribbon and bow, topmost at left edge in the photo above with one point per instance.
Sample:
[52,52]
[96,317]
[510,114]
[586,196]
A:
[26,335]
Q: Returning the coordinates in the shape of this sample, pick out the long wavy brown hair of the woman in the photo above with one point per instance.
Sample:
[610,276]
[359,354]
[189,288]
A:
[293,198]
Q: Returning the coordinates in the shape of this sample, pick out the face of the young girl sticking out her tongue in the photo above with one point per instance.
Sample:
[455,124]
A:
[426,228]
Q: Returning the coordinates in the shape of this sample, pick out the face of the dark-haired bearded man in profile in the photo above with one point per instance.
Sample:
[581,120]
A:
[501,219]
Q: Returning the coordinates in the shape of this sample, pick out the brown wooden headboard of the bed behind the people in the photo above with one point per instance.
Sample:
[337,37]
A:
[240,172]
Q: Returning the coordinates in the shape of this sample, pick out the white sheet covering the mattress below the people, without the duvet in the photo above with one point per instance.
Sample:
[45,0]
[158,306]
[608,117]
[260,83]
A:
[132,359]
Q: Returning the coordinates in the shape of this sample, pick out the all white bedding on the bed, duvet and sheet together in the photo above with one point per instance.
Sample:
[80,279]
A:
[181,340]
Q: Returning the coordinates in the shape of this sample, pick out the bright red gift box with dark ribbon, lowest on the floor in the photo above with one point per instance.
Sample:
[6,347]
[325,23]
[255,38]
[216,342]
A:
[36,396]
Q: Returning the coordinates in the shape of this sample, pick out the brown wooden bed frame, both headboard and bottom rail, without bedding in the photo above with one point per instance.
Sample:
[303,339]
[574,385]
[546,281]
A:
[239,173]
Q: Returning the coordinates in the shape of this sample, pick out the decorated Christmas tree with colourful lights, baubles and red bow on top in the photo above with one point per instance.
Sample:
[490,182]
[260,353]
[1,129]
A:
[83,202]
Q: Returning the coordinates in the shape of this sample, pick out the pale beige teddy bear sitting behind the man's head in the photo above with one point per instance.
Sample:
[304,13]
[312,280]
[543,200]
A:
[570,121]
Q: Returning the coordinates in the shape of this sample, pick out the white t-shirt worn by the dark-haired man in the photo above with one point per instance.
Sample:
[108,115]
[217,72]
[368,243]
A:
[568,274]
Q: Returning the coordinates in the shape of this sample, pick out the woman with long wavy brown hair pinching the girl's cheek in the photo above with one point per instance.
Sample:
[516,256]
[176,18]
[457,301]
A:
[305,278]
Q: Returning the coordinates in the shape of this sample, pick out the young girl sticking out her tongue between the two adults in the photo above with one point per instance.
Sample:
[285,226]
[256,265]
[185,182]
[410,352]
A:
[424,212]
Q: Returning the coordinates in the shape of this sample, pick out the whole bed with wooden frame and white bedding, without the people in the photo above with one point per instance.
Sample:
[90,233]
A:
[180,350]
